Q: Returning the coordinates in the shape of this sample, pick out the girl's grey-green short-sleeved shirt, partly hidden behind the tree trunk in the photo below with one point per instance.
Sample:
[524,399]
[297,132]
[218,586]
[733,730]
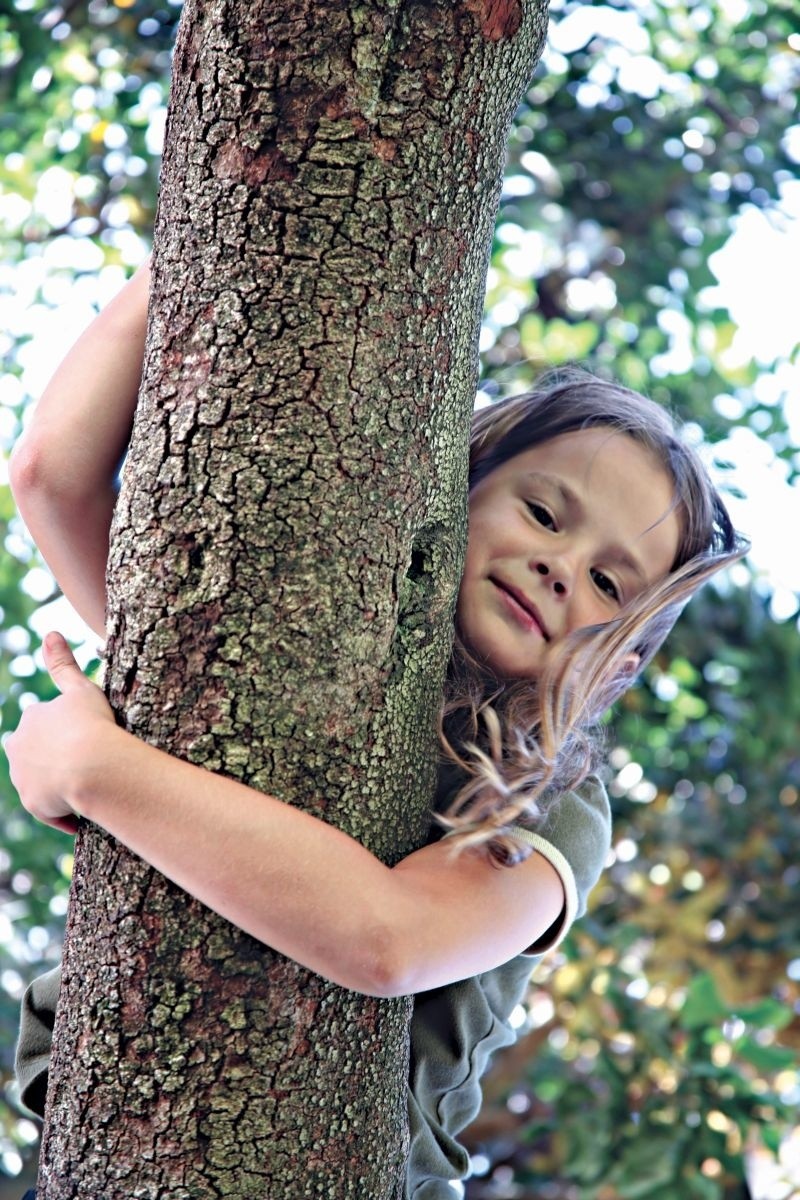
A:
[455,1030]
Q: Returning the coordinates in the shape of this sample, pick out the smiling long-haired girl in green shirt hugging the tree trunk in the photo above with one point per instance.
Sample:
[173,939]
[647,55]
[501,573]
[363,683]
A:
[591,525]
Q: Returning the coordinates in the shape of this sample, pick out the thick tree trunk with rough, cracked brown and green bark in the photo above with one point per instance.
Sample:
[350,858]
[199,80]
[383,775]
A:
[286,555]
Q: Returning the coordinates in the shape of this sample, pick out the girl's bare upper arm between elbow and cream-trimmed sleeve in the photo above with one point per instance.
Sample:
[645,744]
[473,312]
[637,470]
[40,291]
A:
[462,915]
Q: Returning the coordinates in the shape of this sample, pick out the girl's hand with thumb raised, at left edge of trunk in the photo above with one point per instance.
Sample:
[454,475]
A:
[53,741]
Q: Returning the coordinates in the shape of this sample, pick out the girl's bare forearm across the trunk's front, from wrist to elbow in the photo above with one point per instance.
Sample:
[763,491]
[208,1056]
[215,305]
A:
[284,877]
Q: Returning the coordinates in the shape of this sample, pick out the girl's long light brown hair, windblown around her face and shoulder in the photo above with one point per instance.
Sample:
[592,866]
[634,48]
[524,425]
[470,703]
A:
[519,745]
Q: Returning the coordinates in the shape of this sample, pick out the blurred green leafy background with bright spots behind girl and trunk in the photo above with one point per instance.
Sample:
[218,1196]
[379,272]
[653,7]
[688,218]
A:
[660,1045]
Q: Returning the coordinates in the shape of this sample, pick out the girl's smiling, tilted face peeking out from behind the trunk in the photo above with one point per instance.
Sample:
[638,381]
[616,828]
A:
[561,537]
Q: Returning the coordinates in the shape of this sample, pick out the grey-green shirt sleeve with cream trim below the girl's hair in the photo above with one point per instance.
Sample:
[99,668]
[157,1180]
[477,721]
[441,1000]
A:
[575,838]
